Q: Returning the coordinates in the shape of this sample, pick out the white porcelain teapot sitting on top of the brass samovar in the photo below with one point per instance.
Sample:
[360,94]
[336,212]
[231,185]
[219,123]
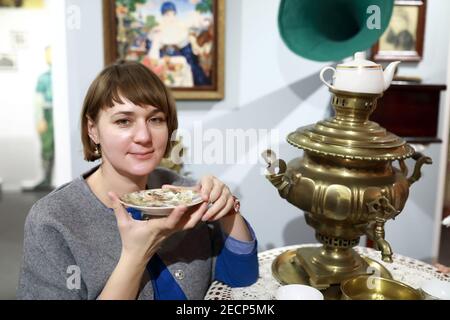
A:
[360,75]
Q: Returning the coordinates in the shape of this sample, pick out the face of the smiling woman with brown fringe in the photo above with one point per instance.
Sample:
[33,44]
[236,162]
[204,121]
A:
[133,139]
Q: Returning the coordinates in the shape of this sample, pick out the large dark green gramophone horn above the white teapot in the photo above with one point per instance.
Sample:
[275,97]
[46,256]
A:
[330,30]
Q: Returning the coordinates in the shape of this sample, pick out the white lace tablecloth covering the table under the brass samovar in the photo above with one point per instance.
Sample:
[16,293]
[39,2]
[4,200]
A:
[407,270]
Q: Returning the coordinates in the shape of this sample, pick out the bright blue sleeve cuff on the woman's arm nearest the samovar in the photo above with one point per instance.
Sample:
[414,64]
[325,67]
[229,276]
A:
[236,266]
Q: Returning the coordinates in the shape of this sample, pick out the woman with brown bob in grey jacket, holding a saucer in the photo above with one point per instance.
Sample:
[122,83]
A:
[77,247]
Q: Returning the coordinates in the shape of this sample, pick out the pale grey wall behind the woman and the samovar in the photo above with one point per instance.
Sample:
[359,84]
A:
[267,87]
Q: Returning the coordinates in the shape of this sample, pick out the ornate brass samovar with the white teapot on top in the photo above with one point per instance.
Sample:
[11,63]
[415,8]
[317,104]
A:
[352,178]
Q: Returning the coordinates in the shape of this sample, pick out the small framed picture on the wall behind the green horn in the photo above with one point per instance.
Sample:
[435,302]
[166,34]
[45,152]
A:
[403,40]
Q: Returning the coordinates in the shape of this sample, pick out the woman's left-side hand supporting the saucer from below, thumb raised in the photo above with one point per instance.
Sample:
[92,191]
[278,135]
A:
[141,239]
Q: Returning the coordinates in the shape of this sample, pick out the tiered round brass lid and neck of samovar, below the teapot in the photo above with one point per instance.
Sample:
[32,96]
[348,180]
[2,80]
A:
[350,134]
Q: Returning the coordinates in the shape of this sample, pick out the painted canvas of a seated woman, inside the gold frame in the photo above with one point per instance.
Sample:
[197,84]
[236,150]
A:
[172,38]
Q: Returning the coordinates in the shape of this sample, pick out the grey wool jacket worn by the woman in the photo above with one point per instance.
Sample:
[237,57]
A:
[72,245]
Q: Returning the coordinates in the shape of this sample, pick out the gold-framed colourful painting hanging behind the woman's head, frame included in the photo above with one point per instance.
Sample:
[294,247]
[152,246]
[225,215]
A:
[182,41]
